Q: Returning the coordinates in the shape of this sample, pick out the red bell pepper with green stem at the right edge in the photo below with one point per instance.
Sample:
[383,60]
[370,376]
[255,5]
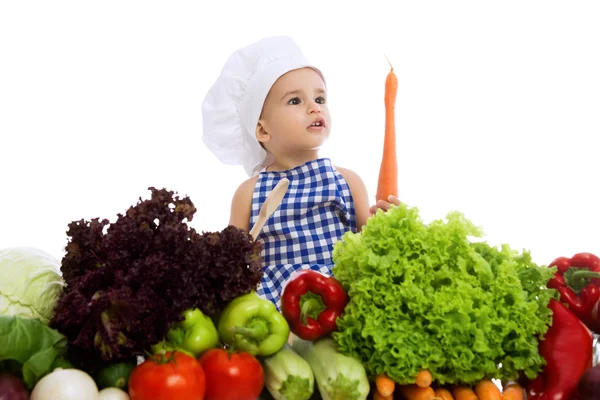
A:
[577,279]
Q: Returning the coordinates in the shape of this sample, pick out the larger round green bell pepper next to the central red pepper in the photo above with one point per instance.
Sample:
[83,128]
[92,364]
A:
[252,324]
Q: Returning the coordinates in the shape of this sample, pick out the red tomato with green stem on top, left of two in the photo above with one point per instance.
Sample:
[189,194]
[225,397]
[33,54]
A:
[166,378]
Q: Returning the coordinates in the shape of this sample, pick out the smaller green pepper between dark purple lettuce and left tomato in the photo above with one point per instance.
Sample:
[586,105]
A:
[194,335]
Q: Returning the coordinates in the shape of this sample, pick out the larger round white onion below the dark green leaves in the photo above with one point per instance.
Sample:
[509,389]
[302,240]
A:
[65,384]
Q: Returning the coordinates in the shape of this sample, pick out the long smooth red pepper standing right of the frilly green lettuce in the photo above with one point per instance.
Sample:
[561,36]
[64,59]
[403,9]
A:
[567,349]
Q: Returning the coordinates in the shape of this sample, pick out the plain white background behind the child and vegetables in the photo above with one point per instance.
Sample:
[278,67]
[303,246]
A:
[498,109]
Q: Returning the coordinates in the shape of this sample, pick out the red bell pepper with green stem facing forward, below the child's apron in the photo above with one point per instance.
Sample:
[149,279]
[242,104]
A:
[311,303]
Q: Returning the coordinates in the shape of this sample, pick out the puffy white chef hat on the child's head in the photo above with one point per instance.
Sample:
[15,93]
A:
[232,106]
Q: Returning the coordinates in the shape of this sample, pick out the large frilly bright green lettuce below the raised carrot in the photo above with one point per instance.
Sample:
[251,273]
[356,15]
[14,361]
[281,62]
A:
[427,297]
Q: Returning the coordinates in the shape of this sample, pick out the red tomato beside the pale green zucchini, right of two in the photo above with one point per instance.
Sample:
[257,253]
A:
[237,376]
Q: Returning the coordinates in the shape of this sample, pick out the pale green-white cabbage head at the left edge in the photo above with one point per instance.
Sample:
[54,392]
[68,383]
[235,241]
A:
[31,283]
